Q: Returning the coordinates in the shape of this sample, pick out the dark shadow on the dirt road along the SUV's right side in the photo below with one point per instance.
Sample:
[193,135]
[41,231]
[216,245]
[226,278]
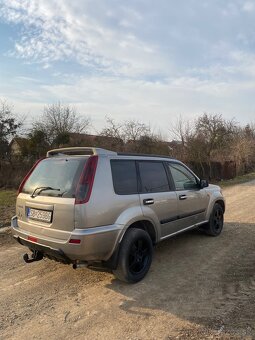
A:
[206,280]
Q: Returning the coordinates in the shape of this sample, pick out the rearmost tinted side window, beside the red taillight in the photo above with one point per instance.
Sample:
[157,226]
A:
[124,177]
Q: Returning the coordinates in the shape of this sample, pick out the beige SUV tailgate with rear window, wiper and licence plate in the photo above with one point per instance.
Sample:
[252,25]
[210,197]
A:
[45,205]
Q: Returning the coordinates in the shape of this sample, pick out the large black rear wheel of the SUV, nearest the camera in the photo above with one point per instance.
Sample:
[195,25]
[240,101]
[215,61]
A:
[135,256]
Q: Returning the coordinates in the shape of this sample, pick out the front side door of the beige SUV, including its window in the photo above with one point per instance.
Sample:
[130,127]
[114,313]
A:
[192,201]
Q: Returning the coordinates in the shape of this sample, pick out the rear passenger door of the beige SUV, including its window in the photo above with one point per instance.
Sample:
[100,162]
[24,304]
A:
[157,197]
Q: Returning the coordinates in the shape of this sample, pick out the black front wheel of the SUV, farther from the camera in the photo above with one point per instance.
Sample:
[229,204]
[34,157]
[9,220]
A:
[215,225]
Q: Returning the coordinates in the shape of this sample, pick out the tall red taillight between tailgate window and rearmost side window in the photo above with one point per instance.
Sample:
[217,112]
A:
[86,181]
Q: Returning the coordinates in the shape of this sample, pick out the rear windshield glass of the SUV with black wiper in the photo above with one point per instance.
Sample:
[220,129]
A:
[62,174]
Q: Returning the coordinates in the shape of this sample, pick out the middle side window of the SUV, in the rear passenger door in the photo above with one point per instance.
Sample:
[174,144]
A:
[153,177]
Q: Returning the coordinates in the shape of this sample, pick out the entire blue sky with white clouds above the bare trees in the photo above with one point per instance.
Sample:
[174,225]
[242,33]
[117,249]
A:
[148,60]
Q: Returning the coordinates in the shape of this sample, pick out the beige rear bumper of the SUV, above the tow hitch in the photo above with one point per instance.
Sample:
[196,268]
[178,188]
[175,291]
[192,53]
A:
[96,244]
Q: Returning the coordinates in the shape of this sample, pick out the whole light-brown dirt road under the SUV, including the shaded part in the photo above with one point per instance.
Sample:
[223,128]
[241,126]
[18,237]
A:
[199,287]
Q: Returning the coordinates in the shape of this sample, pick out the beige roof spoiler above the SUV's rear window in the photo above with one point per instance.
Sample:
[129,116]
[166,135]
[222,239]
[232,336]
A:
[79,151]
